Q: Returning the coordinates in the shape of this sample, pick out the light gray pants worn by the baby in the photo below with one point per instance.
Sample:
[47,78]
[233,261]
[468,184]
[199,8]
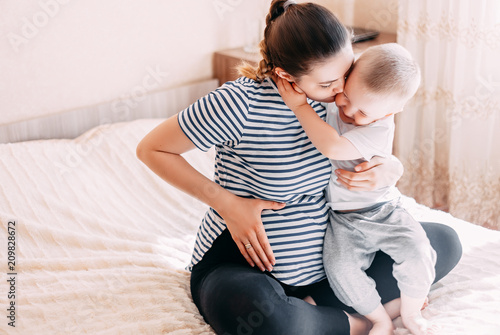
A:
[351,240]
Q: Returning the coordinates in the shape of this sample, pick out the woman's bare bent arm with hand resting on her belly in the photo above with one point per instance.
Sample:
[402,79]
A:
[161,150]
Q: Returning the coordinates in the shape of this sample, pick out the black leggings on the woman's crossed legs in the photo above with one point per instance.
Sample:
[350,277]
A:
[235,298]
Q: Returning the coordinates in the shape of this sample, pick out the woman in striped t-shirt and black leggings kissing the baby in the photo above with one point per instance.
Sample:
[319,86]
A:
[258,251]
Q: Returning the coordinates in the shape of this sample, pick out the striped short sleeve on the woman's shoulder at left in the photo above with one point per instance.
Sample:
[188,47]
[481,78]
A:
[217,118]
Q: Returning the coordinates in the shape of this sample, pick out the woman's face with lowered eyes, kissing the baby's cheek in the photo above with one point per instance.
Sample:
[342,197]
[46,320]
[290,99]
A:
[327,78]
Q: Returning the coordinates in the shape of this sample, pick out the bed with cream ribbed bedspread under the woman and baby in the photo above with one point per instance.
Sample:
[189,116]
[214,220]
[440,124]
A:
[102,243]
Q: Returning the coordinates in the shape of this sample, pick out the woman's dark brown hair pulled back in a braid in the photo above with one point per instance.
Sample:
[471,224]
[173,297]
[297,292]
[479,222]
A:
[296,37]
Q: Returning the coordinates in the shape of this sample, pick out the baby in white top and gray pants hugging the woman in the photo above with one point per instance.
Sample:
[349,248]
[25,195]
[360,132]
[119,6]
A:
[361,126]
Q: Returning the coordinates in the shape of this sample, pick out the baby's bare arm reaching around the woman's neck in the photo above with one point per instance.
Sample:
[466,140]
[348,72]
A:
[324,137]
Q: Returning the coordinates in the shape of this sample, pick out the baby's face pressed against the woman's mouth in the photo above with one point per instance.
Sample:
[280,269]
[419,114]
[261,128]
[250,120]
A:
[358,107]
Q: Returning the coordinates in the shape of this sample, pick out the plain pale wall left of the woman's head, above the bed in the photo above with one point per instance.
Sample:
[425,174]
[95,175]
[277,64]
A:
[59,55]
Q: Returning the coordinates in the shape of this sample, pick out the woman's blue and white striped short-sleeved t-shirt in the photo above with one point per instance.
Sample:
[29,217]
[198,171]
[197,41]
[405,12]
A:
[263,152]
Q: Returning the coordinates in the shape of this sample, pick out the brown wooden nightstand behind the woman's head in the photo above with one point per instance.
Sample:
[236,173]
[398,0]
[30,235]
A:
[226,61]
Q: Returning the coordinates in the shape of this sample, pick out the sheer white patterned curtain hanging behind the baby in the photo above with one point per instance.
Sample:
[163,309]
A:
[448,136]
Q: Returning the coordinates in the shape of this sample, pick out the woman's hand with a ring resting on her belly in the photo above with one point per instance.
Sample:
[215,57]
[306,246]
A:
[243,220]
